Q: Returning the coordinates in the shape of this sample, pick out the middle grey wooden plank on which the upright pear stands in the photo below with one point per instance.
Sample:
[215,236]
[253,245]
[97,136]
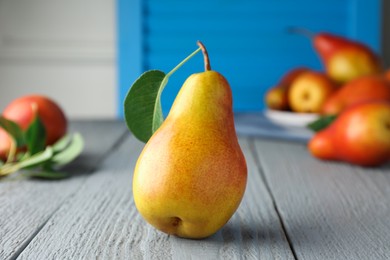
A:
[101,221]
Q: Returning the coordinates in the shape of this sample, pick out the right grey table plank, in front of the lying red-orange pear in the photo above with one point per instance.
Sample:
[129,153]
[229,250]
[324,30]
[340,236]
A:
[330,210]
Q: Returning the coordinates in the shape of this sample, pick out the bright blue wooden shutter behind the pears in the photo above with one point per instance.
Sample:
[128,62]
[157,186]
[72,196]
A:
[246,39]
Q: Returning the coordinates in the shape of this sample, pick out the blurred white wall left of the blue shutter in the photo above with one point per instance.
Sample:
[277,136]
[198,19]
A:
[63,49]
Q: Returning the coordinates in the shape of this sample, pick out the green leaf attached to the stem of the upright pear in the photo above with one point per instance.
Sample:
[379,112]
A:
[142,105]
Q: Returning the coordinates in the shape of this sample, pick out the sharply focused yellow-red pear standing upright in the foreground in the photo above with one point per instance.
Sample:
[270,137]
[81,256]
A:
[191,175]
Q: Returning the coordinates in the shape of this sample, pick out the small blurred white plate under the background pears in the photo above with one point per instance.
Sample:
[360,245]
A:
[290,118]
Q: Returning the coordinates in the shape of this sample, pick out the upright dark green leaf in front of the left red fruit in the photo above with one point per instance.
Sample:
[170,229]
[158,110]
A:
[36,136]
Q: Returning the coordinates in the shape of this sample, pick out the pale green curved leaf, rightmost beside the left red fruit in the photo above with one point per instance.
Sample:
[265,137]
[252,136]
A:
[72,150]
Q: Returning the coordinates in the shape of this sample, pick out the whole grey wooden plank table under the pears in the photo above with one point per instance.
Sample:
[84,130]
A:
[295,207]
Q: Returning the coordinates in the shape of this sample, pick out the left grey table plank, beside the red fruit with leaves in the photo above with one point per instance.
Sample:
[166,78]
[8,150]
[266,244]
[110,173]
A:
[27,204]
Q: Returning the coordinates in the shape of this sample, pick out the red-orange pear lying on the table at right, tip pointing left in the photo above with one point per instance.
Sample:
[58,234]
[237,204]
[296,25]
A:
[359,135]
